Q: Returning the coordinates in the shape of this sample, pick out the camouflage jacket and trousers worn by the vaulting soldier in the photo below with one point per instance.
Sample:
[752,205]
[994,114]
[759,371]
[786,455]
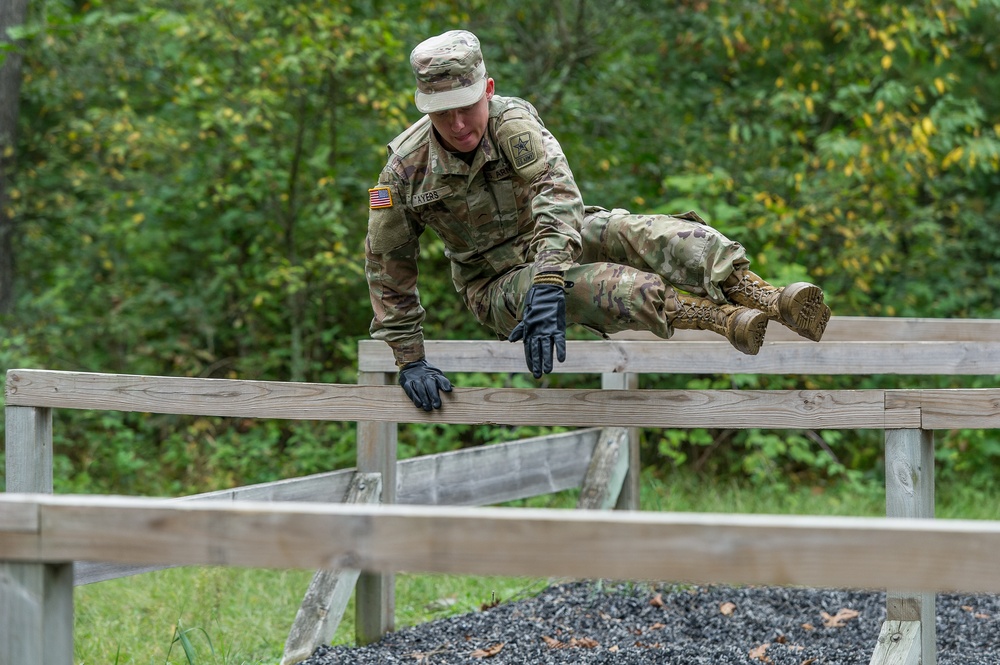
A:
[516,211]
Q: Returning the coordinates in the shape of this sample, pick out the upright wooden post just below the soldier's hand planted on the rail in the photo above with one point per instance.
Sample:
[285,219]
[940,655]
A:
[375,594]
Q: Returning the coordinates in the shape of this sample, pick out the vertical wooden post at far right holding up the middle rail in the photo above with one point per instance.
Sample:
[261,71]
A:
[909,492]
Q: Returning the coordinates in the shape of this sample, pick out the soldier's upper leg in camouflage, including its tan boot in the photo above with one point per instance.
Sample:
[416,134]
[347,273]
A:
[694,257]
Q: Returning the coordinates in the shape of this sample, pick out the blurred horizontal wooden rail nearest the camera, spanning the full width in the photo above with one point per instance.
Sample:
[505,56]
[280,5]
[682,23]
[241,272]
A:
[734,549]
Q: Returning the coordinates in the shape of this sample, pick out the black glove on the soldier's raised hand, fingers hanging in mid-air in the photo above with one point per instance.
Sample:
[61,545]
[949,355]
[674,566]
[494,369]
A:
[543,326]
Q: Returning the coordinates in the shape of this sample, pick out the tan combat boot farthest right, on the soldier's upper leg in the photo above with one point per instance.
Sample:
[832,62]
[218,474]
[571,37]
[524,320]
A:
[798,306]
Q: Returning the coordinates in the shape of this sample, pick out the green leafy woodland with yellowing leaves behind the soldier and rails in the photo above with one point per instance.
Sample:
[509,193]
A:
[190,195]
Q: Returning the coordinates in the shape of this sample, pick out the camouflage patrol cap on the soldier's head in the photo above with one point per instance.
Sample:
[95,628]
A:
[450,71]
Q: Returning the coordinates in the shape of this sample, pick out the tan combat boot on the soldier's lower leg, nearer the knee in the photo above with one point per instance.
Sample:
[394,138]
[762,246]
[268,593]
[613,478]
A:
[743,327]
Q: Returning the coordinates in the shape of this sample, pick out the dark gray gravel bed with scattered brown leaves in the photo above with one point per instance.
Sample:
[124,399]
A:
[589,622]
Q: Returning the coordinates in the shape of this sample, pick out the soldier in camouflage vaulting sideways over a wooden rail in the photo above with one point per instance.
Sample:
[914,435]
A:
[527,255]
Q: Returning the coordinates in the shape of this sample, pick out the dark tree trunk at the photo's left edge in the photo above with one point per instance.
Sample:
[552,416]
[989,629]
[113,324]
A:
[12,13]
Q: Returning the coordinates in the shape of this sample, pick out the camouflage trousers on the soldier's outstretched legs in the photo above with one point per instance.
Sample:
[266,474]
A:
[629,268]
